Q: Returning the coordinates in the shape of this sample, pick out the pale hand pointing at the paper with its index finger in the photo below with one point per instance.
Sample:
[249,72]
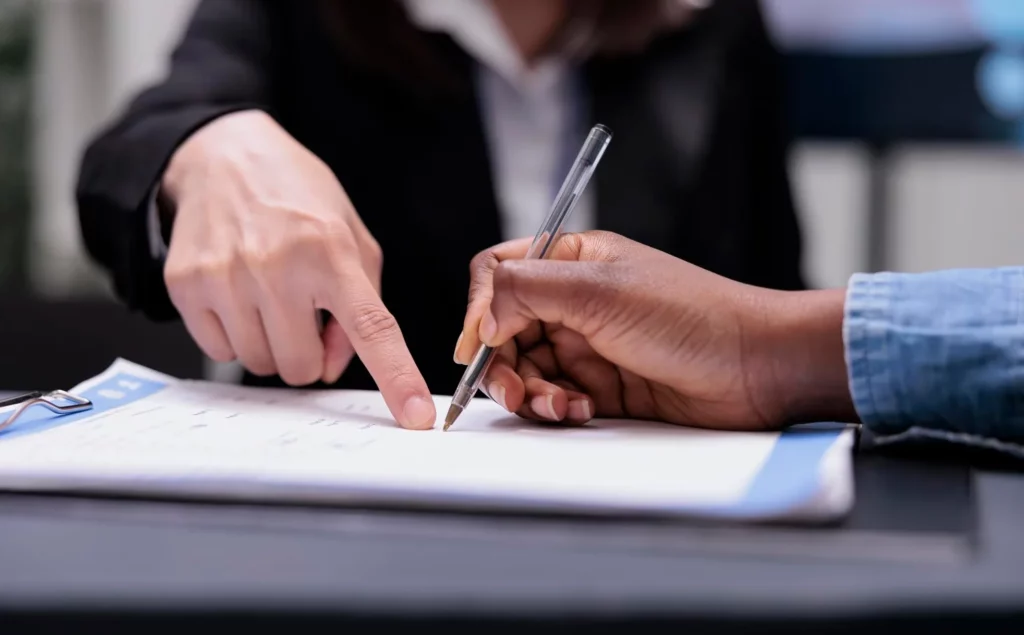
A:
[265,237]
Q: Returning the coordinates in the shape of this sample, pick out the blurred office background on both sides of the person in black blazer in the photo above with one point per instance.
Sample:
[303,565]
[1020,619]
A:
[909,115]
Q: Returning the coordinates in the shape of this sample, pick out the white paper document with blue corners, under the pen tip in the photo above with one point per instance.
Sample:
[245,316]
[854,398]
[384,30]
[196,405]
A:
[154,436]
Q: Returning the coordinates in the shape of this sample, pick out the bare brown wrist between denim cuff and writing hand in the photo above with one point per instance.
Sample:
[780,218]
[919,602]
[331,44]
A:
[800,359]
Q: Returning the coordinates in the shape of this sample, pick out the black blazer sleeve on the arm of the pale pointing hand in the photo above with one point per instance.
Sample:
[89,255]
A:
[221,66]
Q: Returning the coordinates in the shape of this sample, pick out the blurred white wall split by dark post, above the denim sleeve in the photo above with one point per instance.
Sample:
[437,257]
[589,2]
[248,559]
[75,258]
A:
[952,206]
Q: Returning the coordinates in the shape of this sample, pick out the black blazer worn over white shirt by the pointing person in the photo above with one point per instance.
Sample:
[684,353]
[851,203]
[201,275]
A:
[698,167]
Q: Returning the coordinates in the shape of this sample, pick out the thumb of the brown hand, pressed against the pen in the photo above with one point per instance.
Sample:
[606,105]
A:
[581,297]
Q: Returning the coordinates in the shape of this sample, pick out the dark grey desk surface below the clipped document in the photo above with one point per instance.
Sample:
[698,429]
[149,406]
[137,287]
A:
[111,557]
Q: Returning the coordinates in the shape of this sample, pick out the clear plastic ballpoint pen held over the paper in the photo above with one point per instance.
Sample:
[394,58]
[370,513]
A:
[576,182]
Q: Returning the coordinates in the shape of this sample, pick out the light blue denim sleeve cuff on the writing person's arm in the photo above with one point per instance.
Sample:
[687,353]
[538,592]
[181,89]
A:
[940,355]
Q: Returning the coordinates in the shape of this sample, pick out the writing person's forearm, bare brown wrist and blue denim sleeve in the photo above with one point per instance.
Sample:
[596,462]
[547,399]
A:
[943,352]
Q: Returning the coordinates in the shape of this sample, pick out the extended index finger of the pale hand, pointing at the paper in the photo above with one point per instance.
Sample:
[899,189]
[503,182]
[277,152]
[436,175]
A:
[376,337]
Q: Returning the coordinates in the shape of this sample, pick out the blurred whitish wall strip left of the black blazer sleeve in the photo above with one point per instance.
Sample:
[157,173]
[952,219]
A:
[93,56]
